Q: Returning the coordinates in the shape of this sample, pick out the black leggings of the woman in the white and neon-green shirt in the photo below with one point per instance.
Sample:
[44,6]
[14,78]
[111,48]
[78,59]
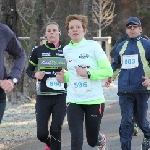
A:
[75,115]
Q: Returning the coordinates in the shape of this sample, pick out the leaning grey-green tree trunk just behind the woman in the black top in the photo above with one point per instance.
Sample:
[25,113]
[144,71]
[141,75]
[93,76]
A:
[36,31]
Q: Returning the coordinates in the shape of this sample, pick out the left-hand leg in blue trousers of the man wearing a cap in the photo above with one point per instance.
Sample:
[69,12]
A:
[126,102]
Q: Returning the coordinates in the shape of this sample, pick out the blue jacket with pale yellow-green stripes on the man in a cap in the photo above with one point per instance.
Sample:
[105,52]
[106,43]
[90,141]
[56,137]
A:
[130,80]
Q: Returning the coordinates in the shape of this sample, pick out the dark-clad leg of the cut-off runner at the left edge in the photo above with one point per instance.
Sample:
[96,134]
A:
[2,103]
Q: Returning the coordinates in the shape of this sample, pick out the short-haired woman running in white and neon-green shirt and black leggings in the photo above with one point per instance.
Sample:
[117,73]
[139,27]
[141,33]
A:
[87,64]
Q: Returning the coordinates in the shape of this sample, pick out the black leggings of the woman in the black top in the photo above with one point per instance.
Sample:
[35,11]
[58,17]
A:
[45,106]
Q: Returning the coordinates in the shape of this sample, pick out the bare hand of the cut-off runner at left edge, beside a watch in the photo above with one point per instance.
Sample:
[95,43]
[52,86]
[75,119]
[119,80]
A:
[7,85]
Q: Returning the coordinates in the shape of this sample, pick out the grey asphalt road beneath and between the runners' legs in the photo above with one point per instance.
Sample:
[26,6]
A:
[110,125]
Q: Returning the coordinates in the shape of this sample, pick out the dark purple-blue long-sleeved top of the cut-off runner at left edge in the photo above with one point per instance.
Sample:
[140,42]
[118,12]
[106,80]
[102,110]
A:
[9,43]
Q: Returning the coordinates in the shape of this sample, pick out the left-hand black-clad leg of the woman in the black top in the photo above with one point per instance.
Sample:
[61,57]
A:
[43,112]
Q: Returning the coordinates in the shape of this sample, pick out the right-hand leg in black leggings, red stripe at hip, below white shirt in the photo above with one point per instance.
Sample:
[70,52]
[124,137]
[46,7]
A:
[93,115]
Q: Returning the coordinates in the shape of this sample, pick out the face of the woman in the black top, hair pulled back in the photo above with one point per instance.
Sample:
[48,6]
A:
[52,33]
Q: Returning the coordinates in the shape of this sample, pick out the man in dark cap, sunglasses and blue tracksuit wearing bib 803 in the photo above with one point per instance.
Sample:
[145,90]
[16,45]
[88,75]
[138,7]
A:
[132,59]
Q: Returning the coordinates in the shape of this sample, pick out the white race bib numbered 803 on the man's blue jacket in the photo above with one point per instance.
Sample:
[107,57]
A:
[130,61]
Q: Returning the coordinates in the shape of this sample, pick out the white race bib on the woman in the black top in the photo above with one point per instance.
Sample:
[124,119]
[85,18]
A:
[52,83]
